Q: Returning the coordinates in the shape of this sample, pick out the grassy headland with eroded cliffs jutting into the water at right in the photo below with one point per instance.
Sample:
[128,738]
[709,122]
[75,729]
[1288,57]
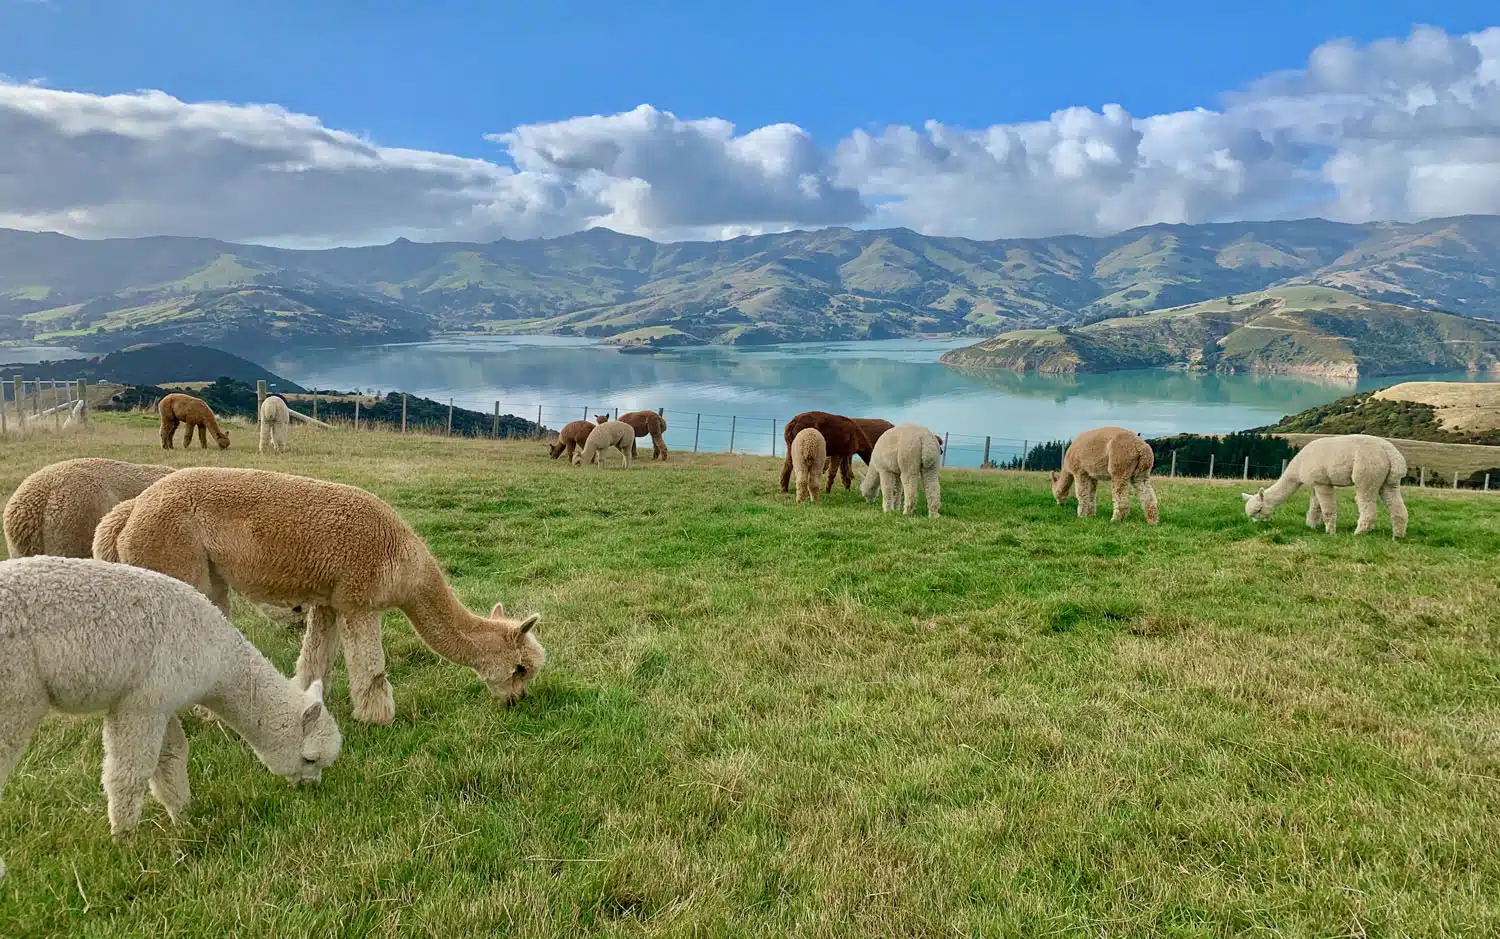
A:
[1306,331]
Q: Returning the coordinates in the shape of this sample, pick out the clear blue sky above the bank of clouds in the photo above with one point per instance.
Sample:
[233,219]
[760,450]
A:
[440,74]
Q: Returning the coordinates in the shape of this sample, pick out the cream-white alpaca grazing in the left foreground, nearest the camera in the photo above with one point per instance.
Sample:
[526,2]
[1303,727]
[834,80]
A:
[82,637]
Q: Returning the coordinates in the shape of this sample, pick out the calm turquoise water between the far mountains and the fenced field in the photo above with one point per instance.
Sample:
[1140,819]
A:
[899,380]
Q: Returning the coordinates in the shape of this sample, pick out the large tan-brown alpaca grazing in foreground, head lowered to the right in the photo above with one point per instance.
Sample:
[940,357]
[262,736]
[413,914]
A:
[334,550]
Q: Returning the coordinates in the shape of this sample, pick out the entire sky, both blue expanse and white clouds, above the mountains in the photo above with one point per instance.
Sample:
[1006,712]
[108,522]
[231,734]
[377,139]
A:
[1024,143]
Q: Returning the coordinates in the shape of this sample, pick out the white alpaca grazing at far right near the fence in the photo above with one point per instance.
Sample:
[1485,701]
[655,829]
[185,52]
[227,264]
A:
[1370,464]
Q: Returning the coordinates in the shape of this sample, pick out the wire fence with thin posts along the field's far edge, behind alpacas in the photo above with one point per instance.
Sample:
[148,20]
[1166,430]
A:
[706,433]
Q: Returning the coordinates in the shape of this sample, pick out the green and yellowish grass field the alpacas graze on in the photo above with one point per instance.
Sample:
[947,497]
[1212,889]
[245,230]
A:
[764,719]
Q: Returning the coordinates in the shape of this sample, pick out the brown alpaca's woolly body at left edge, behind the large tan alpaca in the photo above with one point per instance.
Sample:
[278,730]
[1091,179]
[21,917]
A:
[56,509]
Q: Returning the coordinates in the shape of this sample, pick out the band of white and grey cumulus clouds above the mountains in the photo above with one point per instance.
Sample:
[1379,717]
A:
[1394,130]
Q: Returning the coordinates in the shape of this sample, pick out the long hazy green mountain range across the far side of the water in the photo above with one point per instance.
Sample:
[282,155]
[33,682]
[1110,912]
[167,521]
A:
[832,284]
